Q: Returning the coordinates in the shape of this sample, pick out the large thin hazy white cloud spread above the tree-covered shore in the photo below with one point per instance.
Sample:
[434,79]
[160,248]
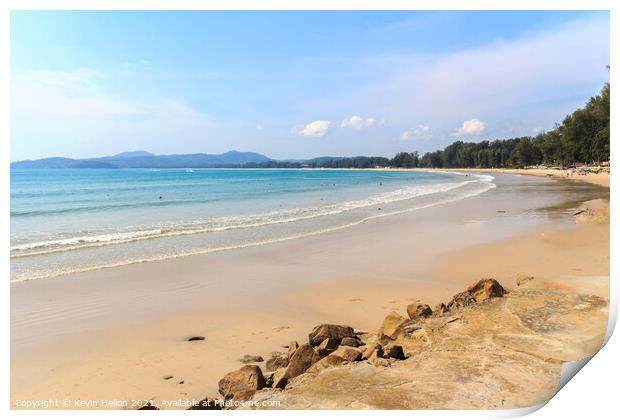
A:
[525,79]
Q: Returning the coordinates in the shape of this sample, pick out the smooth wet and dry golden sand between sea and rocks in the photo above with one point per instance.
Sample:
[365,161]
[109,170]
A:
[115,334]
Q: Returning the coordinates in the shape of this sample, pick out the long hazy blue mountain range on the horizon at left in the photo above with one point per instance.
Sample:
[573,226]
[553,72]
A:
[142,159]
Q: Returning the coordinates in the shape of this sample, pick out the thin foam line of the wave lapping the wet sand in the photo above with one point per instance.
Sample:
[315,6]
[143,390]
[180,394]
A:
[485,185]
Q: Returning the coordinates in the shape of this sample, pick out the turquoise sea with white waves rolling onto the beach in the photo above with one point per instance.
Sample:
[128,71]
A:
[65,221]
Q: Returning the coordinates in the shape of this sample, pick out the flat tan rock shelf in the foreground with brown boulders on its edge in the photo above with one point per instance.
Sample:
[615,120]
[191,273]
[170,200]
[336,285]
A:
[487,352]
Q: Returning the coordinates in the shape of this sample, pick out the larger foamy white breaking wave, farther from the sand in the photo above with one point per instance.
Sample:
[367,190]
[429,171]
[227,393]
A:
[29,249]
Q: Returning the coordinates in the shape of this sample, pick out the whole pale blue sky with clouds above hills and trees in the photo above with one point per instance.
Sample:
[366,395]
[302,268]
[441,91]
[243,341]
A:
[295,84]
